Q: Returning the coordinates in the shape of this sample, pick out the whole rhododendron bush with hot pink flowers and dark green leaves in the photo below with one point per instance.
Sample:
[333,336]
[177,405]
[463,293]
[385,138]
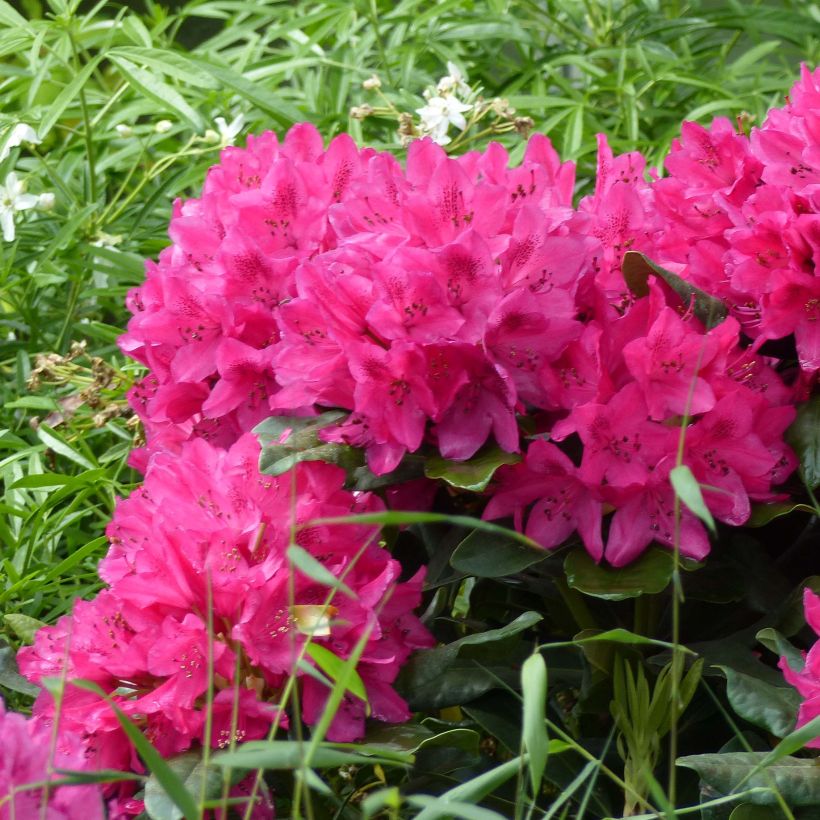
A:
[372,384]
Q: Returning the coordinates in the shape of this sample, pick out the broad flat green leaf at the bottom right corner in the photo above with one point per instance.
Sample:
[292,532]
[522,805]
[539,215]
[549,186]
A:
[795,778]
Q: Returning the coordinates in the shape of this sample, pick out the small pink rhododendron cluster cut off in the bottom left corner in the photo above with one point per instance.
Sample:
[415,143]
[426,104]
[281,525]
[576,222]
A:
[28,757]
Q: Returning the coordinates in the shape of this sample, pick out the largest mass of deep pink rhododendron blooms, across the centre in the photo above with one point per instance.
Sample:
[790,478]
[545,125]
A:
[439,302]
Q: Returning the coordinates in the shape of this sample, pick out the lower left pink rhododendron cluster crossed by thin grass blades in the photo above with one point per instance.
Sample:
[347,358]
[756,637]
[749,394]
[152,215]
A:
[206,533]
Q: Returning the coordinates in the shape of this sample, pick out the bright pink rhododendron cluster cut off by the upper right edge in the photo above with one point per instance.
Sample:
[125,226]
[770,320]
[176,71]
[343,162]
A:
[743,216]
